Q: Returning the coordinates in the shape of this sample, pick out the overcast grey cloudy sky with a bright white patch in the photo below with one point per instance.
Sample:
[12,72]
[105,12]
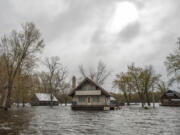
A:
[118,32]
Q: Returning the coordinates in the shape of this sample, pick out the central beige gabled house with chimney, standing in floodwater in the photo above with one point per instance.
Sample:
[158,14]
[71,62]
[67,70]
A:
[89,96]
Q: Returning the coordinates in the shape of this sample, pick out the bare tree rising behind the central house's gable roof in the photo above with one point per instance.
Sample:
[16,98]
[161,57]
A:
[99,75]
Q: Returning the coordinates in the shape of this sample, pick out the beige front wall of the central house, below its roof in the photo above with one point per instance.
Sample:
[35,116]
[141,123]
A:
[89,95]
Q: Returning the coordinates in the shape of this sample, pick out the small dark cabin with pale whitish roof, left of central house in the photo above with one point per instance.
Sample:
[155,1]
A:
[43,99]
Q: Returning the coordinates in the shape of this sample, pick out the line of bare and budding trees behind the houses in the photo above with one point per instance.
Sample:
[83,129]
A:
[19,56]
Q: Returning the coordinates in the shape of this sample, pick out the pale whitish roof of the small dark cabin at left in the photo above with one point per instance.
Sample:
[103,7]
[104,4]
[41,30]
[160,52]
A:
[45,97]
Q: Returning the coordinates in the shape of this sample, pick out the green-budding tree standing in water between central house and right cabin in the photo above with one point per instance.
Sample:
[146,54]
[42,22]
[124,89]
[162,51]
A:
[144,80]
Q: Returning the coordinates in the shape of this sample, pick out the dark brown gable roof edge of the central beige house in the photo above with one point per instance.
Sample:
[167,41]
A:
[89,80]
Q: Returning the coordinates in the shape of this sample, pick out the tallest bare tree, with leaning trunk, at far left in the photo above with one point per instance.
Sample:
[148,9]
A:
[19,49]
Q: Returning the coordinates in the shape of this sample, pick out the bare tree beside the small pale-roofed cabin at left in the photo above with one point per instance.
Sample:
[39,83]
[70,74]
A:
[54,80]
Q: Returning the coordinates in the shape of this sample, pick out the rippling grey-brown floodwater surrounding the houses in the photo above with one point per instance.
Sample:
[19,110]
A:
[62,120]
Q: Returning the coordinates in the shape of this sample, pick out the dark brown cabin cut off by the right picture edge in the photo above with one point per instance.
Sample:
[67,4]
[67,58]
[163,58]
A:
[170,98]
